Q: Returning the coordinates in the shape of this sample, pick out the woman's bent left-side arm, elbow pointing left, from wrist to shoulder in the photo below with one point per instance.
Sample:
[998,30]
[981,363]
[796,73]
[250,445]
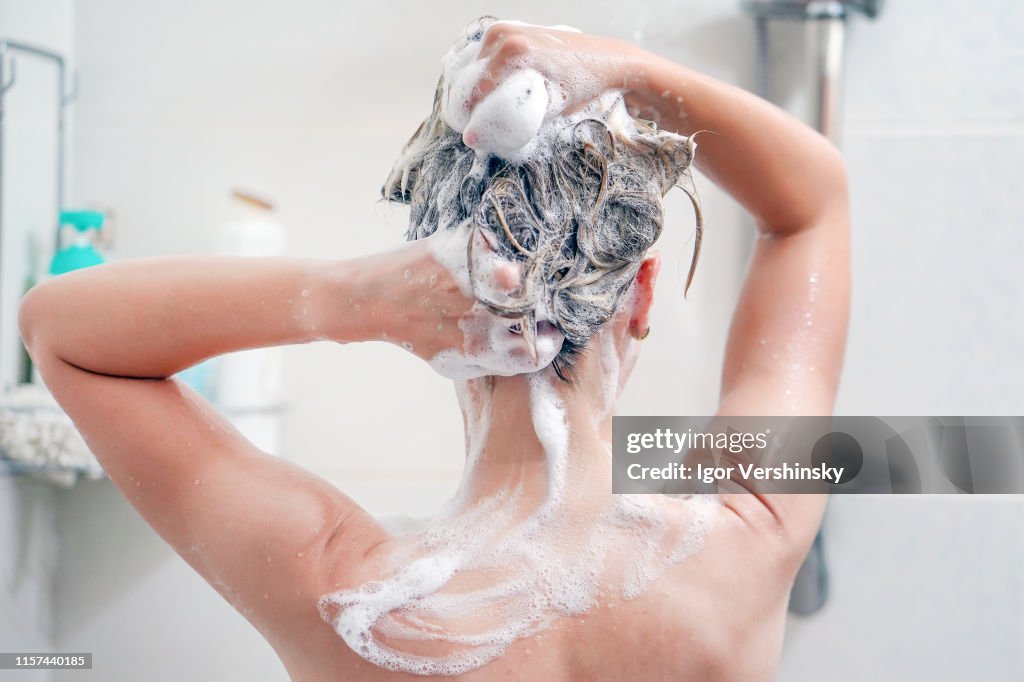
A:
[269,535]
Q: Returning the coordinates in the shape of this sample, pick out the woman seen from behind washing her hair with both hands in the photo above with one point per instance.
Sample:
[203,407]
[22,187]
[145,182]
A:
[531,284]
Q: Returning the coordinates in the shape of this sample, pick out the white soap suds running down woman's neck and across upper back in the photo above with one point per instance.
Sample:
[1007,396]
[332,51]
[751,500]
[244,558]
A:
[488,572]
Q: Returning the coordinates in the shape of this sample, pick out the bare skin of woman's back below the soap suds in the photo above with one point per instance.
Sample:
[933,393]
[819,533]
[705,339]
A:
[717,616]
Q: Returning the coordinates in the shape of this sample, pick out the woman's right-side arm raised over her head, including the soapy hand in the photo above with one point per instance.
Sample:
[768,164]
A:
[789,331]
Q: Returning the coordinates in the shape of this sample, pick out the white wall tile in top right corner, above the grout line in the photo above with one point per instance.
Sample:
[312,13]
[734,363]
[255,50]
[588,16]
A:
[937,63]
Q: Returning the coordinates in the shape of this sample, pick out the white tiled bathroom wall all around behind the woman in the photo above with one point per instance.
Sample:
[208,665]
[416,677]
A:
[182,102]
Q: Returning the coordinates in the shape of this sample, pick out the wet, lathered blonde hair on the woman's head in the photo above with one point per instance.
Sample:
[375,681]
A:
[580,212]
